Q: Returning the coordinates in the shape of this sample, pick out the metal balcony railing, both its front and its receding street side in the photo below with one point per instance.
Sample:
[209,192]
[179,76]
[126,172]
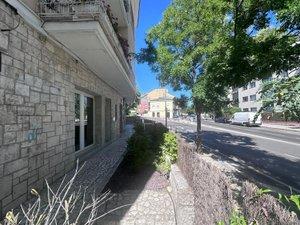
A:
[78,10]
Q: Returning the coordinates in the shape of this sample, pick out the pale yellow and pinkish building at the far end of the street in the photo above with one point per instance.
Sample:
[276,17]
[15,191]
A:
[158,103]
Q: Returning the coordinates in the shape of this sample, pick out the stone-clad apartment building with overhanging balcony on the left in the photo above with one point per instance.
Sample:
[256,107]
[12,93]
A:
[65,77]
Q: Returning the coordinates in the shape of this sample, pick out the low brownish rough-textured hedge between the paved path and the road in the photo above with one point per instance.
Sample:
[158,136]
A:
[219,191]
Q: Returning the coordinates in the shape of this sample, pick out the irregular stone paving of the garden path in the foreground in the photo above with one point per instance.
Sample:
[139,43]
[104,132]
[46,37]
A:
[148,207]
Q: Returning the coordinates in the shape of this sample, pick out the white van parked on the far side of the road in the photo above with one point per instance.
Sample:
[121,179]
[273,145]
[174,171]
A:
[246,118]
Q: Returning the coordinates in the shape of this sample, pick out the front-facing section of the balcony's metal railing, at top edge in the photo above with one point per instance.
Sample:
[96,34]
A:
[71,8]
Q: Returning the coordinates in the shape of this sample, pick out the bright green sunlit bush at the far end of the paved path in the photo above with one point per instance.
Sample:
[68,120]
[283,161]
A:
[168,153]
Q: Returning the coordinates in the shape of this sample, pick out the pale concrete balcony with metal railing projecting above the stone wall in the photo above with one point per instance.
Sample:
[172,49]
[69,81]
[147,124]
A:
[90,30]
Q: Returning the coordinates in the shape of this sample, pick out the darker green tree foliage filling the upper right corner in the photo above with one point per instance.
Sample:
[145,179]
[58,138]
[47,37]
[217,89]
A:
[263,39]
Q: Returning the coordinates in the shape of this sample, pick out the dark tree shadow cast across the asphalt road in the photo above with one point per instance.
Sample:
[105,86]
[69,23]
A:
[244,152]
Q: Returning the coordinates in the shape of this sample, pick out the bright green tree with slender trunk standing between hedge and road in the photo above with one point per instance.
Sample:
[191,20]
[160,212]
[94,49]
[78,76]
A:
[177,49]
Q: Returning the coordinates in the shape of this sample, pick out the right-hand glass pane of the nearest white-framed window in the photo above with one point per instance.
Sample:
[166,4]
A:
[88,121]
